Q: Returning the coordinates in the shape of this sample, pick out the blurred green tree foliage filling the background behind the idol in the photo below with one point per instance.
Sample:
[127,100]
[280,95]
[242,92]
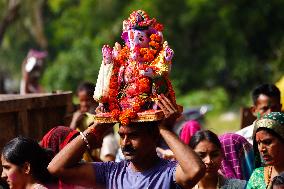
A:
[226,46]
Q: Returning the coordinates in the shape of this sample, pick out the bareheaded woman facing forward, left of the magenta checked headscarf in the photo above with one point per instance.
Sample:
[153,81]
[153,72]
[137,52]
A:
[207,145]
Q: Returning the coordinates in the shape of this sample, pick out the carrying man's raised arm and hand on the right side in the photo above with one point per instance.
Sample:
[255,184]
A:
[190,168]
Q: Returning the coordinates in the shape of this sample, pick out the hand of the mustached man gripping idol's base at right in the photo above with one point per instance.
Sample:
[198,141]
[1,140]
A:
[170,111]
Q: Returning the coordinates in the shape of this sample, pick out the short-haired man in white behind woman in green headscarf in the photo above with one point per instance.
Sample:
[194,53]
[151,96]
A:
[266,99]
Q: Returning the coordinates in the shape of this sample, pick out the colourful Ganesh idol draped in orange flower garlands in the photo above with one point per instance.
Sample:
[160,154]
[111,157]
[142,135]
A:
[131,77]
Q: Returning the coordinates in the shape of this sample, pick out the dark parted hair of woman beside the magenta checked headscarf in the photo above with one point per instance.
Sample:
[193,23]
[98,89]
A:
[204,135]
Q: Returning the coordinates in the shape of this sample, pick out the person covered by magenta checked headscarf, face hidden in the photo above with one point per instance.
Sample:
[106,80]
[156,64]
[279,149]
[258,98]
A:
[238,161]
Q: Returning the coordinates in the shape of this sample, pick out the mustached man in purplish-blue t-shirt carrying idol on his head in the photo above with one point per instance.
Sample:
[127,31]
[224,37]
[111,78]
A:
[142,167]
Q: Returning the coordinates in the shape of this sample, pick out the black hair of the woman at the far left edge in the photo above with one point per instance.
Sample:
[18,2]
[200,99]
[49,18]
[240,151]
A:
[22,149]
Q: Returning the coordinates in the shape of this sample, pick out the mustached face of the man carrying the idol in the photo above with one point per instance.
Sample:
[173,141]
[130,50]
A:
[136,143]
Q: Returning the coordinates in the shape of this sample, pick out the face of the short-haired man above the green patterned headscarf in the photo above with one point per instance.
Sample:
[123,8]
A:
[265,104]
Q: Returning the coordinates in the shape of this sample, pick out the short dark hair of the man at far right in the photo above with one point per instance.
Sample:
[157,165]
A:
[269,90]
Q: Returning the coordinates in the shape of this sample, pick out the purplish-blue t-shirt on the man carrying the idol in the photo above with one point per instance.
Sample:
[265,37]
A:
[119,175]
